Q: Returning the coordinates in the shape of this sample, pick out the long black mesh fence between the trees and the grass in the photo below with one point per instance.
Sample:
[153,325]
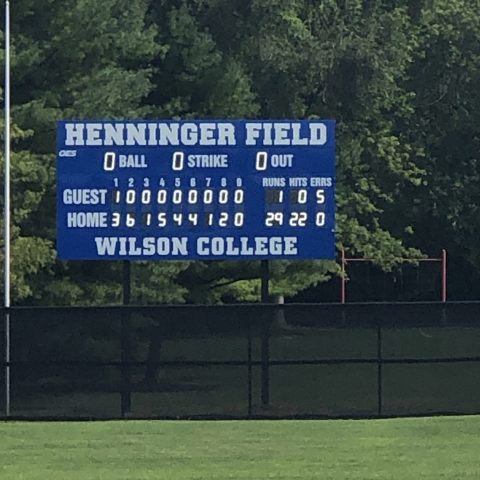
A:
[241,361]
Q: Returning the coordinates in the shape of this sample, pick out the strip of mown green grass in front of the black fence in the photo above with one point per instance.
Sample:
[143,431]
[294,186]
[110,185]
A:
[401,449]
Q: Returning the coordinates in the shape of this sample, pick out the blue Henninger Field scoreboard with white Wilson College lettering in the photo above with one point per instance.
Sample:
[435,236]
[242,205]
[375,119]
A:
[152,190]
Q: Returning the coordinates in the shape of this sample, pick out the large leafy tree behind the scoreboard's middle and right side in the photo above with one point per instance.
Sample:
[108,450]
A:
[303,59]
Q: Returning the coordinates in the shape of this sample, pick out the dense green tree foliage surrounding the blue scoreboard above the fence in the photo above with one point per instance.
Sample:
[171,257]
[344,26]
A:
[400,77]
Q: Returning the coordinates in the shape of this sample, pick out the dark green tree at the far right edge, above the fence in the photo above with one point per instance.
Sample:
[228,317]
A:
[445,81]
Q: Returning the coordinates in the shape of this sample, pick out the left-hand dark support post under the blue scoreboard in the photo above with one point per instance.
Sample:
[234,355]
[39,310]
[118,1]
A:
[126,396]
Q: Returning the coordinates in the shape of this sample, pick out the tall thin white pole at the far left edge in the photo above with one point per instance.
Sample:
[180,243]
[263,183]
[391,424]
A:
[7,207]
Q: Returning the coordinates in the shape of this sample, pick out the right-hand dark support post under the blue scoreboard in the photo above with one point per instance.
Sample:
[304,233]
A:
[265,354]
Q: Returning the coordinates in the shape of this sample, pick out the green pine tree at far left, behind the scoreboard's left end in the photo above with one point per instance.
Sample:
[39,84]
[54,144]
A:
[70,59]
